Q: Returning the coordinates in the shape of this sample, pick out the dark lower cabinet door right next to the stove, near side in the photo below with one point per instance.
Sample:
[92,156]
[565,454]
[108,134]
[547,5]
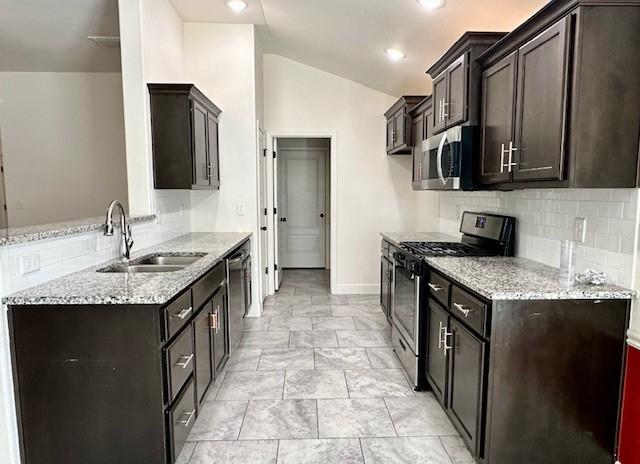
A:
[436,357]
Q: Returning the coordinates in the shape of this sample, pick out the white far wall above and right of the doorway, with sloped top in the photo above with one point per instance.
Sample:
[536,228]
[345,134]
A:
[373,190]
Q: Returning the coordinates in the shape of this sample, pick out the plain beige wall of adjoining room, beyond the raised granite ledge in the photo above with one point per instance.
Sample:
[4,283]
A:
[63,145]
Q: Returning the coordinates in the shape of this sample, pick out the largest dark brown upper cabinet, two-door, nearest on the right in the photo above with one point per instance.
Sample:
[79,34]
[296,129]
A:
[560,100]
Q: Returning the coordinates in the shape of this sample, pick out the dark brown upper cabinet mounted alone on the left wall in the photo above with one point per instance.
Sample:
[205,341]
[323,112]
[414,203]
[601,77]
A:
[184,129]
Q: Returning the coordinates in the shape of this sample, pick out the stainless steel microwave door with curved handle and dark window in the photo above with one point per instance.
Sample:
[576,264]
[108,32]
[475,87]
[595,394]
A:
[441,156]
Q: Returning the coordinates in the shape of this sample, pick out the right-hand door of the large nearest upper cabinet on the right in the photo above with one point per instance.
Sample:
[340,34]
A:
[541,105]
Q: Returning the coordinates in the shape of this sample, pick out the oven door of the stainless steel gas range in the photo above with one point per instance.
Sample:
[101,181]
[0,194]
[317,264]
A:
[406,304]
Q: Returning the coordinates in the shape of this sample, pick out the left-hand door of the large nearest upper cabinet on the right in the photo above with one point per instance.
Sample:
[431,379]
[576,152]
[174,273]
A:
[497,121]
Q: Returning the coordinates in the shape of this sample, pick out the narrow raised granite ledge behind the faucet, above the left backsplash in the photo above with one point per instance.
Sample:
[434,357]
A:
[15,235]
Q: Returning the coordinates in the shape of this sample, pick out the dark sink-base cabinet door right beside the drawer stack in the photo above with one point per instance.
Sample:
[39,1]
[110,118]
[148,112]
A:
[203,351]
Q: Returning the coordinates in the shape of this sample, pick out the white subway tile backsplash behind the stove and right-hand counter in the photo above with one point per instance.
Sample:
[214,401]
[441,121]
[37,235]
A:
[547,216]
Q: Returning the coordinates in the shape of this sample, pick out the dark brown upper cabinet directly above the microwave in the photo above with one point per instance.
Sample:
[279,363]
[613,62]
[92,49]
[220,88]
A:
[456,81]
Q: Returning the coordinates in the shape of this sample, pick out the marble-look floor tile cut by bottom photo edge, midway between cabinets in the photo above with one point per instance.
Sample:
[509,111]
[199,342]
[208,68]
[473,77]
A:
[321,451]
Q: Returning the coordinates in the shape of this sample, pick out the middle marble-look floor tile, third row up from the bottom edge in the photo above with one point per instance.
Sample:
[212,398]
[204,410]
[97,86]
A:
[315,384]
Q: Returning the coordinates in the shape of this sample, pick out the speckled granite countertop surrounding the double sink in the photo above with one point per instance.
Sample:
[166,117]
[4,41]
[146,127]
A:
[88,287]
